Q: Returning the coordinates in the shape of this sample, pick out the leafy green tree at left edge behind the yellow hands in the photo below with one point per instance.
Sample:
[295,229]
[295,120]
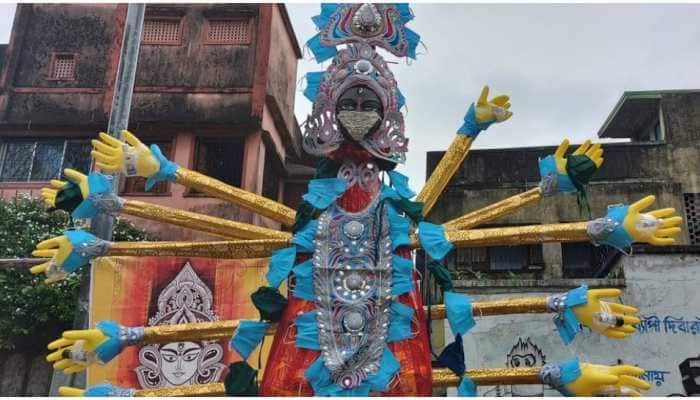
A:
[34,313]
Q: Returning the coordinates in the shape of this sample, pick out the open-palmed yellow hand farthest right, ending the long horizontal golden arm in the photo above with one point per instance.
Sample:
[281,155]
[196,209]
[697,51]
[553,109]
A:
[656,227]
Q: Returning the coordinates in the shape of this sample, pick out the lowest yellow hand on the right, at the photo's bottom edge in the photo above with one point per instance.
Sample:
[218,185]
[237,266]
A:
[599,379]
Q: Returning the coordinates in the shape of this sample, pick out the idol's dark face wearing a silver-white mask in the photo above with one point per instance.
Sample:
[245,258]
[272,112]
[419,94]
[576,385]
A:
[359,111]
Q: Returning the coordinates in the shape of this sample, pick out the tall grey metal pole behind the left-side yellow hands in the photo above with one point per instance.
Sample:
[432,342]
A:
[118,120]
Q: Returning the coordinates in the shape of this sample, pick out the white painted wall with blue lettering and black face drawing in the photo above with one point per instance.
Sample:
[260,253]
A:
[664,286]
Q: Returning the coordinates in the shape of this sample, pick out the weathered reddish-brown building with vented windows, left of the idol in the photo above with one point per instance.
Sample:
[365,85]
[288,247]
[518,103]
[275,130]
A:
[214,89]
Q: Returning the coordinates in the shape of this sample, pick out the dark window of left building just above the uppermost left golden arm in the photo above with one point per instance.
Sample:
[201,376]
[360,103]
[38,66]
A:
[220,158]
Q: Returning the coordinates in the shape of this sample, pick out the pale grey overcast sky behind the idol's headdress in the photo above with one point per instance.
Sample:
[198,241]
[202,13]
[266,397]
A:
[565,66]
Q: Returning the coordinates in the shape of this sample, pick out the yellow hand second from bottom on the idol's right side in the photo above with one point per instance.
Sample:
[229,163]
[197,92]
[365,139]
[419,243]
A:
[588,314]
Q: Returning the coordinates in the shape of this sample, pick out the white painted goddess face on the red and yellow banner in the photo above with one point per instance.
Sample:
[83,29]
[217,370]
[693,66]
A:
[179,361]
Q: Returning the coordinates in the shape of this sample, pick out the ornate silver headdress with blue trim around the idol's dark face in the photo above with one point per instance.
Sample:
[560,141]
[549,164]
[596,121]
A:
[361,27]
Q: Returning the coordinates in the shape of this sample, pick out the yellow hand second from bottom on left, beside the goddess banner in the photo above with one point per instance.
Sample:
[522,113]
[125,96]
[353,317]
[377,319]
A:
[90,339]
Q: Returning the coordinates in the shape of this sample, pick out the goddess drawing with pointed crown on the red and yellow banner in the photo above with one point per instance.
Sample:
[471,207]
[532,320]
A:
[186,299]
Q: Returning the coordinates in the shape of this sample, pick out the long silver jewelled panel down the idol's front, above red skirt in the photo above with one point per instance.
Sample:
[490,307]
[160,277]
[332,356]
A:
[352,286]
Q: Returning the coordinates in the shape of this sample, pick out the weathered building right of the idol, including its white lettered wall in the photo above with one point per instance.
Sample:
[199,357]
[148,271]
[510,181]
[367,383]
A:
[661,158]
